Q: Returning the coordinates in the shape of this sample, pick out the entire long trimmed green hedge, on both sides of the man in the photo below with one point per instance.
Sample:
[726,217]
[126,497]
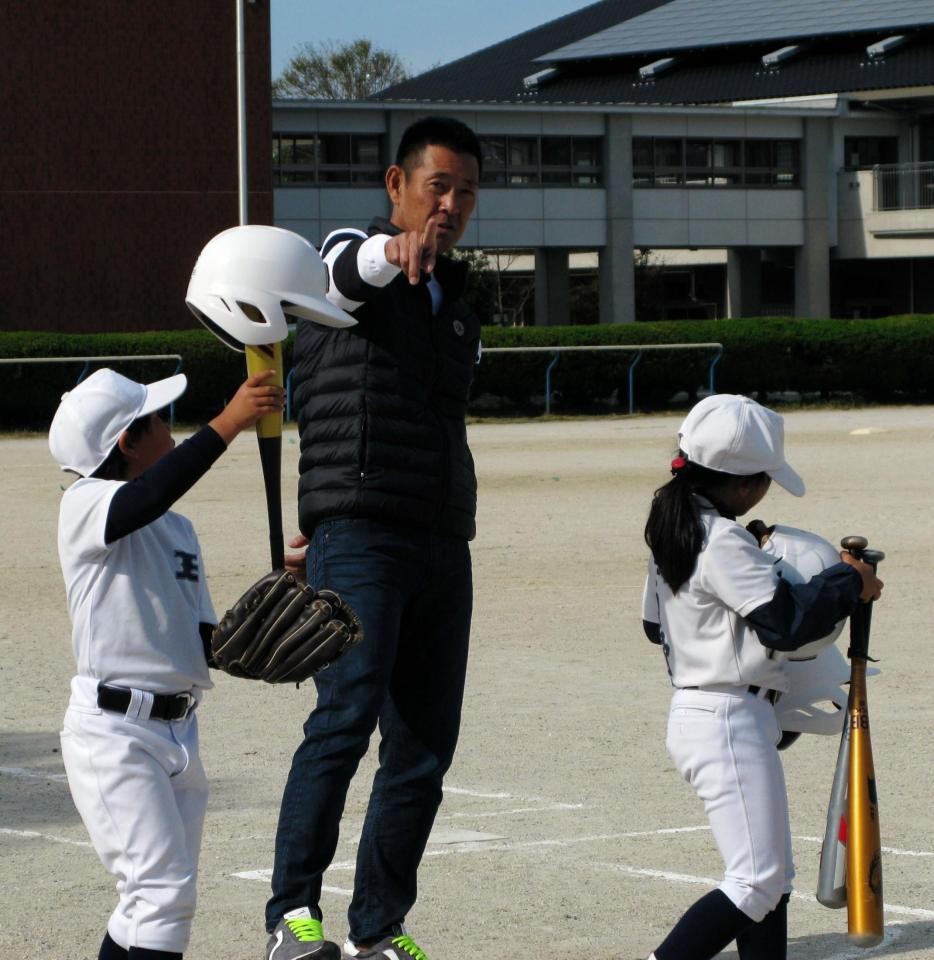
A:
[877,361]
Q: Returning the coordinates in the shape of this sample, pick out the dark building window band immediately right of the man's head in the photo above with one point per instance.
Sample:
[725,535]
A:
[542,161]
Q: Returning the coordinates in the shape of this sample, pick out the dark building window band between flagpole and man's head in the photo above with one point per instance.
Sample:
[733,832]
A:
[334,159]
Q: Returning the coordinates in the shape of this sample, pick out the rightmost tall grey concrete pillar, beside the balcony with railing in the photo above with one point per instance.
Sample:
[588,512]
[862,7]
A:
[812,259]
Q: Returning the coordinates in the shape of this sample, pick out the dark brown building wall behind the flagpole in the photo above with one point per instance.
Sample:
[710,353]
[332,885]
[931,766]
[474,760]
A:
[118,155]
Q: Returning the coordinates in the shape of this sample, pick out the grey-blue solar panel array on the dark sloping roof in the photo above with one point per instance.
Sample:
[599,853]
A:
[683,24]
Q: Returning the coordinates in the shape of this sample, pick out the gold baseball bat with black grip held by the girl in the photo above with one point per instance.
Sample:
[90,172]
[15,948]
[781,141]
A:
[864,845]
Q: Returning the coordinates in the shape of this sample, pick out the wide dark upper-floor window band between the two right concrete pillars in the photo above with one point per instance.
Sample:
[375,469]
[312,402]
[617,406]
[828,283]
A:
[692,162]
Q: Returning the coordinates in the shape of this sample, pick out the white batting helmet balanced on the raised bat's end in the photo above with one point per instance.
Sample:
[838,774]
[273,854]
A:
[248,278]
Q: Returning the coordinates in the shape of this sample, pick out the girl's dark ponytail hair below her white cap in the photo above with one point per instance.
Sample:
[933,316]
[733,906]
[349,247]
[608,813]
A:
[674,532]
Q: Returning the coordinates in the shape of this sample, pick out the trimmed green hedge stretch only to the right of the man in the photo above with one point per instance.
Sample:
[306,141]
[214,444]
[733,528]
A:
[886,360]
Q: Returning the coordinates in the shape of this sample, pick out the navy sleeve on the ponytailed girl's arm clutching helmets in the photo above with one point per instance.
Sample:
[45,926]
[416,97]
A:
[800,613]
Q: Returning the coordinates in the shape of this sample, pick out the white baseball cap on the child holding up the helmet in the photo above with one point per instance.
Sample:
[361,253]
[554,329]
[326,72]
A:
[90,418]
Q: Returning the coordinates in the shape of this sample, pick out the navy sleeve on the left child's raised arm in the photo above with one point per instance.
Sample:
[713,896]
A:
[145,498]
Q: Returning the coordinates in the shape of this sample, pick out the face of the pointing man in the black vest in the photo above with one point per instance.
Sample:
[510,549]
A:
[442,184]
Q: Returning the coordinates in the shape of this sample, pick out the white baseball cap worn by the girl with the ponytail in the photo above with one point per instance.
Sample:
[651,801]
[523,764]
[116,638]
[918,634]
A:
[733,434]
